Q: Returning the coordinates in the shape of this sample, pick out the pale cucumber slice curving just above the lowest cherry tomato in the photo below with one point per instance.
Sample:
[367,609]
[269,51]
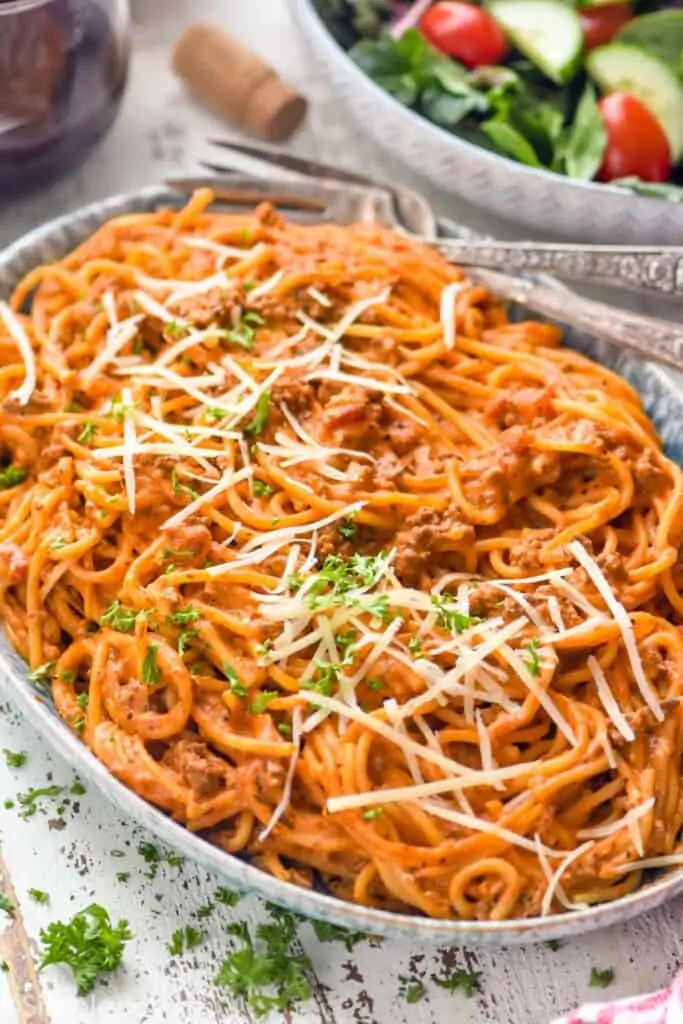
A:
[623,68]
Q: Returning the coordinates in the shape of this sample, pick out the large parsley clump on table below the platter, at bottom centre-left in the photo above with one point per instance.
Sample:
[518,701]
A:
[268,970]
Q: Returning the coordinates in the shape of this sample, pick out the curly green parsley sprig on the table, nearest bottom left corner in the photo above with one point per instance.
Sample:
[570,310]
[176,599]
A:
[90,945]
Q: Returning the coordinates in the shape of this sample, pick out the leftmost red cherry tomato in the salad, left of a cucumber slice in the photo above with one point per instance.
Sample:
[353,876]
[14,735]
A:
[464,32]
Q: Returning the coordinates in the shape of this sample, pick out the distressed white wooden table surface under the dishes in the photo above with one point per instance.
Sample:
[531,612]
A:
[76,857]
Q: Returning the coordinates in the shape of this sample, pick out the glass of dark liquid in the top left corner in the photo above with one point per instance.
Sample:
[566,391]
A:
[63,70]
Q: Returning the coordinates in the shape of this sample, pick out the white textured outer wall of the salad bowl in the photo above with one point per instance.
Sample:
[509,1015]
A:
[542,201]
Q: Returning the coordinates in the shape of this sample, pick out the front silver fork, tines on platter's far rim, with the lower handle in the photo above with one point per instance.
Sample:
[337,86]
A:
[325,196]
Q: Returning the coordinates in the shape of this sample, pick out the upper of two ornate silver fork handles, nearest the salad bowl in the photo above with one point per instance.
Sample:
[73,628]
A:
[656,271]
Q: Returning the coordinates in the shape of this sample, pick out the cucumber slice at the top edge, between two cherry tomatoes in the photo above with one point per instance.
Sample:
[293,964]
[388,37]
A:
[548,32]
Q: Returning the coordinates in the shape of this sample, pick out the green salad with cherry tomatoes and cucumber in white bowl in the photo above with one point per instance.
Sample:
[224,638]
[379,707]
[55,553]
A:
[592,91]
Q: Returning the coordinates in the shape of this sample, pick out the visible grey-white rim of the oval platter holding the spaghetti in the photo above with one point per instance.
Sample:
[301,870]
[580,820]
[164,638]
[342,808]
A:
[664,402]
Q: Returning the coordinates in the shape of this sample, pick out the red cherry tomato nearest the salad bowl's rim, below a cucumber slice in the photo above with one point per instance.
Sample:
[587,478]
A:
[637,144]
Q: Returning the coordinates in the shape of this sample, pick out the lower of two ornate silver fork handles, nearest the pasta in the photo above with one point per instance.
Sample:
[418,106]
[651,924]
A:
[650,337]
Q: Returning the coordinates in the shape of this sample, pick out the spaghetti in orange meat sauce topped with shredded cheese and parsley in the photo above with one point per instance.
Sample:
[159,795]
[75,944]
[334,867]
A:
[343,570]
